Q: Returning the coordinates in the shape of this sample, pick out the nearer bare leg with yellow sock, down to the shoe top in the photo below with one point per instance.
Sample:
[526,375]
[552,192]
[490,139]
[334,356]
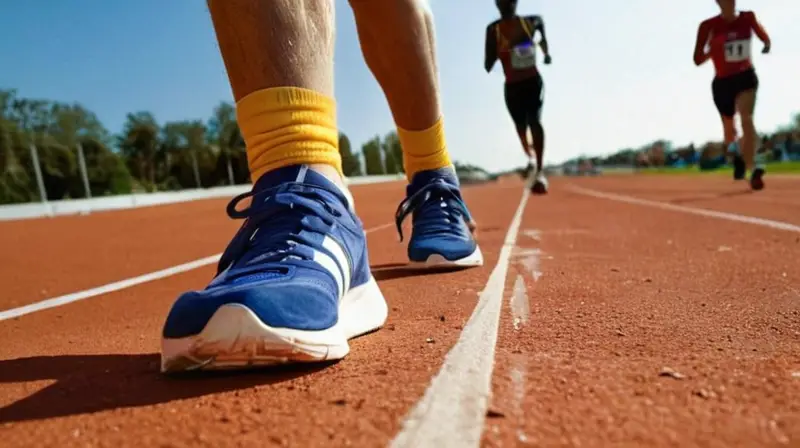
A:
[279,58]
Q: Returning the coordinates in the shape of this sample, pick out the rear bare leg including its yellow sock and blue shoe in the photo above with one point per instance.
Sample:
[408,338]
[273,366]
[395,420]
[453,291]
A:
[397,40]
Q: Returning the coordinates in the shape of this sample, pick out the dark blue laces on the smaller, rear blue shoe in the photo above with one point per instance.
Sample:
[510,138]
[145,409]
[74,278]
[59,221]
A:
[437,207]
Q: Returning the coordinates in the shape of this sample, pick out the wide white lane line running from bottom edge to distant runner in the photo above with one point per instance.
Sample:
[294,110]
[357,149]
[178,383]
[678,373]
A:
[453,410]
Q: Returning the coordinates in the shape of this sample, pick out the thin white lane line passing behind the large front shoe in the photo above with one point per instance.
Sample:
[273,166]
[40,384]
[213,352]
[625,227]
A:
[127,283]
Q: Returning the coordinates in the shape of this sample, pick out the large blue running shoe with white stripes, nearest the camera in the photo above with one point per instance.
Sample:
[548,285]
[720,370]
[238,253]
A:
[293,285]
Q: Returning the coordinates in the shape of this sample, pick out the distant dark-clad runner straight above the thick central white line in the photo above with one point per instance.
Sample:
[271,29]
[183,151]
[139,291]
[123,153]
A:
[510,39]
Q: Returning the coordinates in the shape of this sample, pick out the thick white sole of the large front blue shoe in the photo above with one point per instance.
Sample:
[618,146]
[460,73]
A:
[235,338]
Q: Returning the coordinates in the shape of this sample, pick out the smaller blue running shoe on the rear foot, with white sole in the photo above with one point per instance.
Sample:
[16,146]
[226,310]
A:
[442,227]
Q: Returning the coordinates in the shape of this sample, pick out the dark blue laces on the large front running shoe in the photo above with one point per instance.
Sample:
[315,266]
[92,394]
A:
[273,224]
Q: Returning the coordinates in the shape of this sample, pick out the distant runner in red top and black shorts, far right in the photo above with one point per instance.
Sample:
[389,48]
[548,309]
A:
[728,38]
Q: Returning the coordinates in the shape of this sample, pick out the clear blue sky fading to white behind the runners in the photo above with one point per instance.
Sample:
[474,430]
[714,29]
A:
[622,71]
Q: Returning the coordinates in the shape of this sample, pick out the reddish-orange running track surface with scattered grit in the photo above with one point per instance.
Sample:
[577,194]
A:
[624,322]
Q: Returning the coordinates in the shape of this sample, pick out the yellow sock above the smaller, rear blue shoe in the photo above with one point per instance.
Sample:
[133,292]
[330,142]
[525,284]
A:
[424,150]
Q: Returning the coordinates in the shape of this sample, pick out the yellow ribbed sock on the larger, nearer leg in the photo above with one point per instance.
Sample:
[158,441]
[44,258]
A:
[284,126]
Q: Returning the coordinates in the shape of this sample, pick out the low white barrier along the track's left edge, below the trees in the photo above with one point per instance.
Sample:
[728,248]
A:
[84,206]
